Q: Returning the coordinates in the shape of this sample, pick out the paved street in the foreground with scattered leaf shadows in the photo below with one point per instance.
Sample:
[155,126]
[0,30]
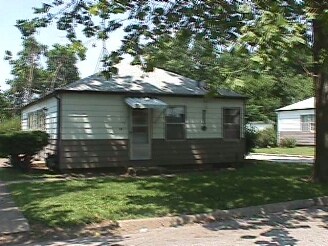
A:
[298,227]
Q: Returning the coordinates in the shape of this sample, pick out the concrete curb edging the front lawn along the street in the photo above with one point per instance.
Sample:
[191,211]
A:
[142,225]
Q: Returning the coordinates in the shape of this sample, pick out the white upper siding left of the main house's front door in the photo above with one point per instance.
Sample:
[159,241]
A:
[91,116]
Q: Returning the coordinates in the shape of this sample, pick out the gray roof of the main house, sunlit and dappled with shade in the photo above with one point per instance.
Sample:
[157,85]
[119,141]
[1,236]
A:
[132,79]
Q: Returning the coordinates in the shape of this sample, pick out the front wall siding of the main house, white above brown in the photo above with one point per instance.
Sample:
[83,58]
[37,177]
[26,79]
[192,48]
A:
[95,132]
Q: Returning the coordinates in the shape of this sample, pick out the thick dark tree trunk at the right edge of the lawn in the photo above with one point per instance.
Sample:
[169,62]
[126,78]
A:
[320,49]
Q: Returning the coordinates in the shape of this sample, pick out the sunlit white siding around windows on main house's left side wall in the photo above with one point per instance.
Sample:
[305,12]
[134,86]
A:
[51,115]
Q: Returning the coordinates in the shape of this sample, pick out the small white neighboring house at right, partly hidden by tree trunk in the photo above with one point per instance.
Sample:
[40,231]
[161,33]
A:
[297,121]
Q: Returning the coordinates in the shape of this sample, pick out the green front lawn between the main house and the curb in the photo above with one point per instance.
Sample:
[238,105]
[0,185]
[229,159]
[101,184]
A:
[78,202]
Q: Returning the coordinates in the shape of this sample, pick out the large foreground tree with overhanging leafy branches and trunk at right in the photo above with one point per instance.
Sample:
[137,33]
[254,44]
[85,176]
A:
[269,29]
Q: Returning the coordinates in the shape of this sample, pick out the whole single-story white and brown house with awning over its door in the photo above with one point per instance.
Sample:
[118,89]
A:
[137,118]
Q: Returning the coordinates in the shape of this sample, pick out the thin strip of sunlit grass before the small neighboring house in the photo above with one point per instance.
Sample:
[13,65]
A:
[307,151]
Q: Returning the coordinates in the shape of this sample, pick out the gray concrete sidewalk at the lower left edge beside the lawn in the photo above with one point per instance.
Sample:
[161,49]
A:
[11,219]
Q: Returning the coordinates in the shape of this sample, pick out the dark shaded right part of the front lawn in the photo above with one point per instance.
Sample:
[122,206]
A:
[205,192]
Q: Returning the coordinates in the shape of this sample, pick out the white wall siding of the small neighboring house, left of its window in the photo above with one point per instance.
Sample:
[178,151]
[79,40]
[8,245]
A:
[291,120]
